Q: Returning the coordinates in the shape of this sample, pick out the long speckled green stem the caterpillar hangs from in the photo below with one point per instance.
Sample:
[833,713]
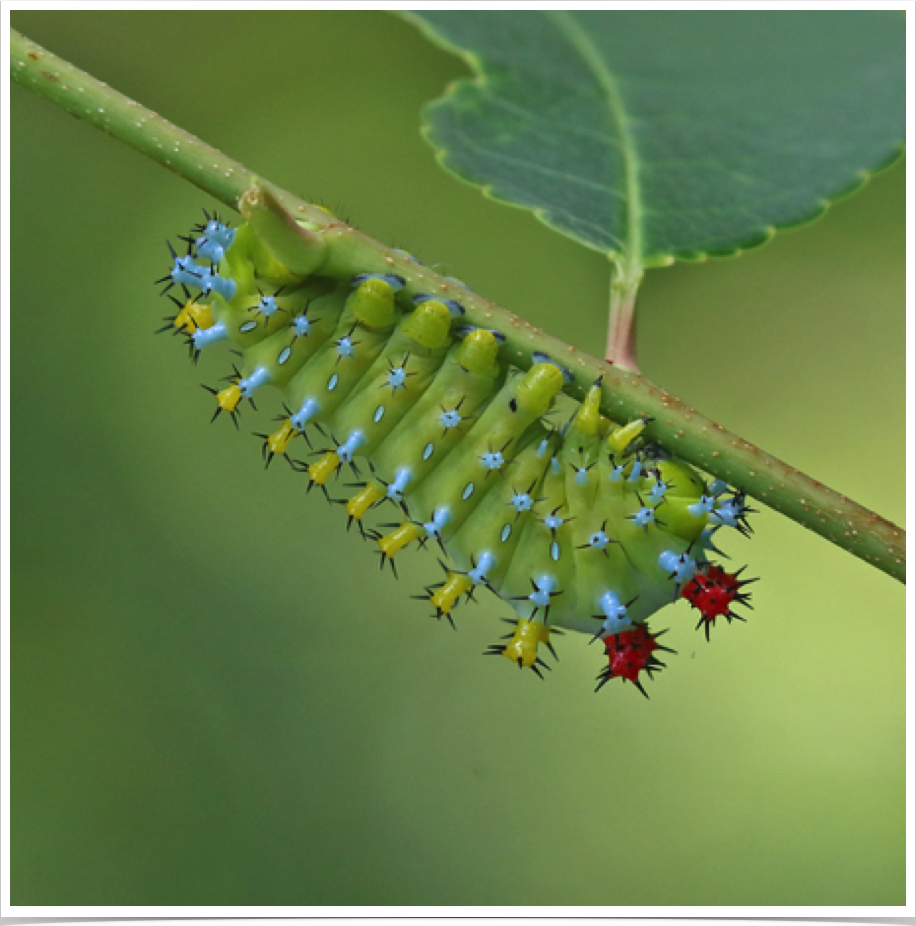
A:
[627,395]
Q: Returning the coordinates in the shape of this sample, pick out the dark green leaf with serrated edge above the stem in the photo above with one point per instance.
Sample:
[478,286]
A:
[659,135]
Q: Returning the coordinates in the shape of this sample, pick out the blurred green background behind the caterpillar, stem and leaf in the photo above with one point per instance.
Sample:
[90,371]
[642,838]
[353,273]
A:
[218,697]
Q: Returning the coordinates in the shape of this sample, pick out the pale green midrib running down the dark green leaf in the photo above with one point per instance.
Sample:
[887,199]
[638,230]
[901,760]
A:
[610,93]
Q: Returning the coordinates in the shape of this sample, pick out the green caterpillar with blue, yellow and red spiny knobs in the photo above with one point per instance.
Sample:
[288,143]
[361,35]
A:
[579,523]
